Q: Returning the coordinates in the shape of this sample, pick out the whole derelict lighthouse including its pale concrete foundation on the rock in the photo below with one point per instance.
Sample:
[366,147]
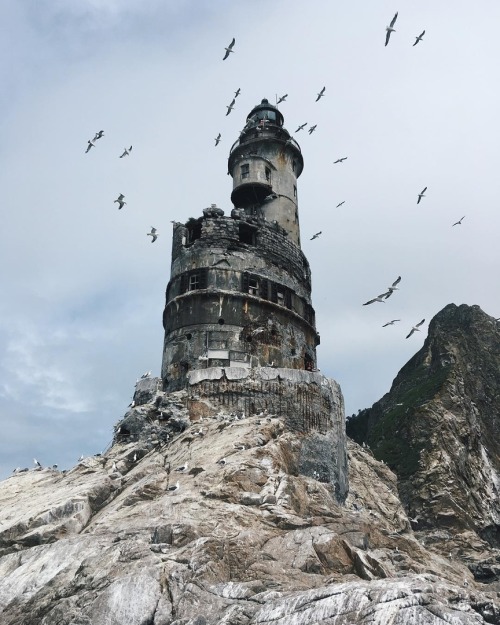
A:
[239,324]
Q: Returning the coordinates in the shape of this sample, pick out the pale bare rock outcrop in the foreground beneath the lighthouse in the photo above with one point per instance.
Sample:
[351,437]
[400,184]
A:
[244,540]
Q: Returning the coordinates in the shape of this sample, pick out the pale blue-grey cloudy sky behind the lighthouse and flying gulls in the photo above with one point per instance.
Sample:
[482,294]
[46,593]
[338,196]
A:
[82,286]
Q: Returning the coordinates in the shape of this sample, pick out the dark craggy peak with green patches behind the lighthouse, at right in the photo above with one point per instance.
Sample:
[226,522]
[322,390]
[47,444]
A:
[439,429]
